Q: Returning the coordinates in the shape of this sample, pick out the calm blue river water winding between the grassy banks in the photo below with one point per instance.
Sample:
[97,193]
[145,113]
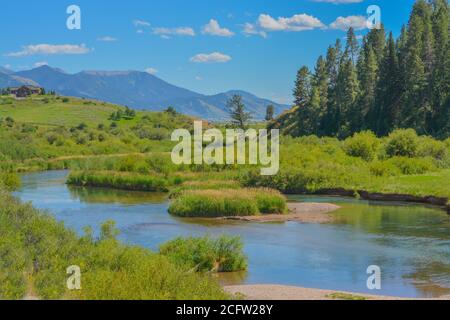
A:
[410,243]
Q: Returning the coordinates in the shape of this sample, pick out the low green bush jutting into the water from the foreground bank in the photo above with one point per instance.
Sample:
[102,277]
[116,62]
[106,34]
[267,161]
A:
[223,254]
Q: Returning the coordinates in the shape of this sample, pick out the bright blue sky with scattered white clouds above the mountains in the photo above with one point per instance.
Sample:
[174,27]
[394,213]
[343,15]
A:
[253,45]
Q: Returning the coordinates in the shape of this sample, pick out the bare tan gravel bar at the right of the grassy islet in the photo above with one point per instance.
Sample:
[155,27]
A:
[300,212]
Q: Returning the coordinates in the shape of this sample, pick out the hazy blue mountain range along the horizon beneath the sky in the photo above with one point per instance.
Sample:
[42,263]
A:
[138,90]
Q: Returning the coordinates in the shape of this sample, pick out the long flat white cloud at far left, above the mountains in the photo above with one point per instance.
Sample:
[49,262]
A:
[50,49]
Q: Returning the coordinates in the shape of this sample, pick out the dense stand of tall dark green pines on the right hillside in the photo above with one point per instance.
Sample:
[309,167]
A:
[379,84]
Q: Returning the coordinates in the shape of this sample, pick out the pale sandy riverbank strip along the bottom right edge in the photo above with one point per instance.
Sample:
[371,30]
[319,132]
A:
[278,292]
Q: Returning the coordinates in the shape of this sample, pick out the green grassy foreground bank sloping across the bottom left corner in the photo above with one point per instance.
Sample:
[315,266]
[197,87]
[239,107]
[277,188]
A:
[36,251]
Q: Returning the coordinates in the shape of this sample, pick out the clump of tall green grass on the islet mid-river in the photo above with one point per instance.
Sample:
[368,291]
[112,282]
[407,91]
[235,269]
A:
[227,203]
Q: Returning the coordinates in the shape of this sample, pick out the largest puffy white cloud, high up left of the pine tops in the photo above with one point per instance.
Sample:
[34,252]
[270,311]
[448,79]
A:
[296,23]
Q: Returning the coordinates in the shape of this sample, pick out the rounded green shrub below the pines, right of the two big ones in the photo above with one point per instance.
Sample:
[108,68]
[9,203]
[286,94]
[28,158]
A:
[402,143]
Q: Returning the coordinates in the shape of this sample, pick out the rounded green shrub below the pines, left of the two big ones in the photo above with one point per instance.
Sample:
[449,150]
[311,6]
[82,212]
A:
[363,145]
